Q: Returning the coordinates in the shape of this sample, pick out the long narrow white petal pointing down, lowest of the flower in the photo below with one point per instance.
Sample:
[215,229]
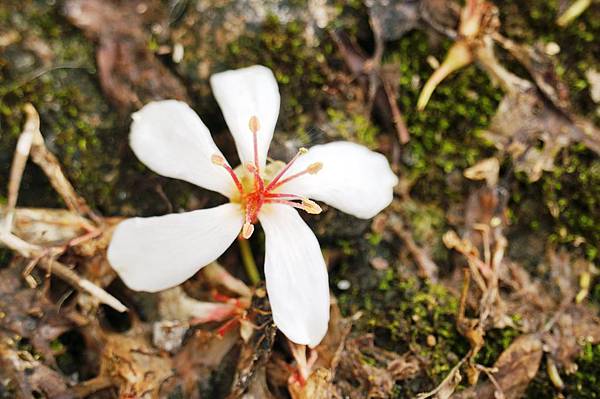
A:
[296,276]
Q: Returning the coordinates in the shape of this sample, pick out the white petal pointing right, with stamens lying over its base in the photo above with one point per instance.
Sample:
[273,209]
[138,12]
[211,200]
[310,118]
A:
[353,178]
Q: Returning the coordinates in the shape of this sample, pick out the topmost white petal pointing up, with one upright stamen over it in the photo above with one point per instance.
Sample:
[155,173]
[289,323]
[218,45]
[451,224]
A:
[241,94]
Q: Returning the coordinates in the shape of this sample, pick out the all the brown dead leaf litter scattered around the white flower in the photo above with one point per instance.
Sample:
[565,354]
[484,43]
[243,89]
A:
[219,340]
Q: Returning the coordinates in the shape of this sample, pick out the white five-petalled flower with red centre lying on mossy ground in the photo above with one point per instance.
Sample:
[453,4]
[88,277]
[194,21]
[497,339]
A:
[156,253]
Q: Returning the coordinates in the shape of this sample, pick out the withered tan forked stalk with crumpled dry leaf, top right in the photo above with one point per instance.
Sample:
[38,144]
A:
[530,111]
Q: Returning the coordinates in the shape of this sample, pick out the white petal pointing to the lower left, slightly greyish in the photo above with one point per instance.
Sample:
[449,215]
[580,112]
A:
[156,253]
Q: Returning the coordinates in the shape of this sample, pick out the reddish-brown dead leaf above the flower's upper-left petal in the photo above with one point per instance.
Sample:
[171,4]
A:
[129,73]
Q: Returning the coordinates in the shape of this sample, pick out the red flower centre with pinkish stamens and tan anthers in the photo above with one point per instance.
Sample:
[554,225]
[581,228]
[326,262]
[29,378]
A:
[260,191]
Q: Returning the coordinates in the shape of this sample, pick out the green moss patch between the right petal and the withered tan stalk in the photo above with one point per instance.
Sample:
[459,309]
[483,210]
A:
[445,136]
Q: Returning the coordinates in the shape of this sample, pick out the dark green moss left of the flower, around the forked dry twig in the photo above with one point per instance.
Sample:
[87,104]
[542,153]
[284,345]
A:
[87,135]
